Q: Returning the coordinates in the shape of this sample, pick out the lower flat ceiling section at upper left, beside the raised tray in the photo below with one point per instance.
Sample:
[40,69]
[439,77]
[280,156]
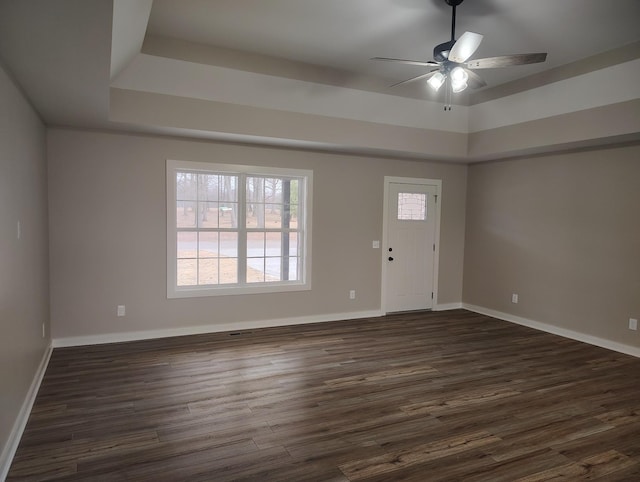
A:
[59,54]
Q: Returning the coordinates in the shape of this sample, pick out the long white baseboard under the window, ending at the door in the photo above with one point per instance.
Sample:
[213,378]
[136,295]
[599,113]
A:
[201,329]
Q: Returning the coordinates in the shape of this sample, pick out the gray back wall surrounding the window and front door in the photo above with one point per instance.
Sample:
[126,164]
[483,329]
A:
[108,233]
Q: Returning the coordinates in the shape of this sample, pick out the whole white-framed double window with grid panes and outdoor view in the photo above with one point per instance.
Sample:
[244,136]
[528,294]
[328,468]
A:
[236,229]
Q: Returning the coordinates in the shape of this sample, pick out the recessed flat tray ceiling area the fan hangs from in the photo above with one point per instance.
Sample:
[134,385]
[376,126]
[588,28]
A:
[345,34]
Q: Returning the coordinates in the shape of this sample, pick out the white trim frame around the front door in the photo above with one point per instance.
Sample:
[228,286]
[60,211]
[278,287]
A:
[385,213]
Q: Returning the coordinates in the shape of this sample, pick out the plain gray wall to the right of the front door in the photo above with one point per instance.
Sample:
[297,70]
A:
[562,231]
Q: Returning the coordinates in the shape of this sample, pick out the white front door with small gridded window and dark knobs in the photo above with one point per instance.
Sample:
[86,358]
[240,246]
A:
[410,246]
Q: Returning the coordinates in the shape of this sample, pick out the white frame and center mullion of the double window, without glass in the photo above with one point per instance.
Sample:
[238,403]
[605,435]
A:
[305,202]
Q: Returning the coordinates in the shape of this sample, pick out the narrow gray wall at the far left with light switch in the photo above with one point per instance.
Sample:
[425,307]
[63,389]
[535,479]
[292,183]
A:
[24,275]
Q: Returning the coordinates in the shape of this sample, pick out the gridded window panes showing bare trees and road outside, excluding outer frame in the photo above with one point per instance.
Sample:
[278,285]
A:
[237,228]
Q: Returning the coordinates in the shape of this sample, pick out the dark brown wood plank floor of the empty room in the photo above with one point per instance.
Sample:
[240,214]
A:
[421,396]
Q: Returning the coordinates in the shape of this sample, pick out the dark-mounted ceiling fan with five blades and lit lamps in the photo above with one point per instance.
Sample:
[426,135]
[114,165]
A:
[452,60]
